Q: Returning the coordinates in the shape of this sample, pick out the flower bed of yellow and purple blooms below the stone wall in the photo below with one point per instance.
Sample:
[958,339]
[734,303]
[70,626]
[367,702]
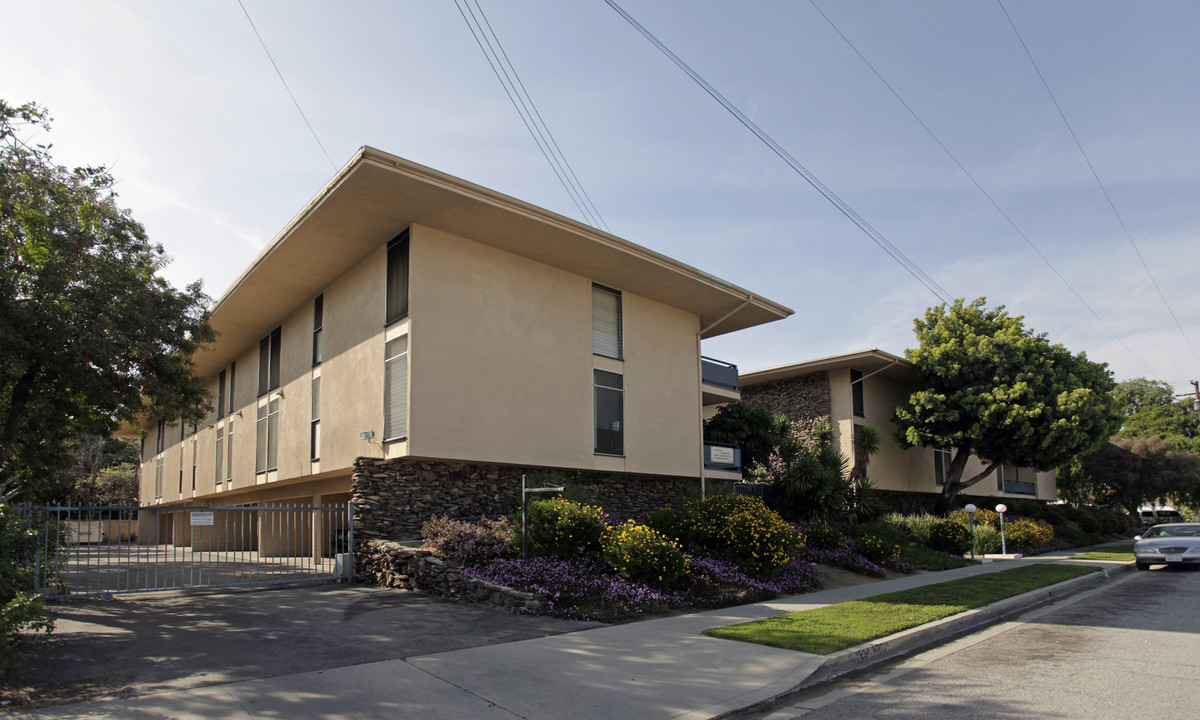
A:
[725,550]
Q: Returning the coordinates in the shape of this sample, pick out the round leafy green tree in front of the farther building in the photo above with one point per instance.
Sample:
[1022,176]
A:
[994,389]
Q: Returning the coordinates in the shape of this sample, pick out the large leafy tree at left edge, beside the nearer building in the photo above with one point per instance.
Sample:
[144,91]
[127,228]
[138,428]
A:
[91,334]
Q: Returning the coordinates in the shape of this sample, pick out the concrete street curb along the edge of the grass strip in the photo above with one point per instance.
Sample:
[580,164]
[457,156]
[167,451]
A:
[910,641]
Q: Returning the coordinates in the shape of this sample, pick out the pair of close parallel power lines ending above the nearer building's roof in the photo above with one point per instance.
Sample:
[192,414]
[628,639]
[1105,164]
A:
[490,44]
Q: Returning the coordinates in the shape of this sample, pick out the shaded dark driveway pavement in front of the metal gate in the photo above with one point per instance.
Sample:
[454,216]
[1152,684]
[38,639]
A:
[139,645]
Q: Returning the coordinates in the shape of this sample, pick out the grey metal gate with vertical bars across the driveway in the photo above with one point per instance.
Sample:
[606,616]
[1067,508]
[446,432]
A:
[104,551]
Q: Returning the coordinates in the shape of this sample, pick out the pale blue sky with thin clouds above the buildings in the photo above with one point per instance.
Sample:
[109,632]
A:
[213,157]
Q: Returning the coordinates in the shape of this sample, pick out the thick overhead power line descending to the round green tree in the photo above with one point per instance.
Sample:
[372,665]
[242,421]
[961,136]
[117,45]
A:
[842,206]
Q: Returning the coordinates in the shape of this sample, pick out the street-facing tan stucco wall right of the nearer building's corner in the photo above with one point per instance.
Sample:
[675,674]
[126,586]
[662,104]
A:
[501,365]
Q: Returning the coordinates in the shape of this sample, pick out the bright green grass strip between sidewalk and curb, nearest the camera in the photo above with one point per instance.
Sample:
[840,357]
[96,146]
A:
[835,628]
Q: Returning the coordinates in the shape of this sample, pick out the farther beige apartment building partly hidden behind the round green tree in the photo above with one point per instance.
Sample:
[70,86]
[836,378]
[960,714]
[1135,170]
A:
[866,388]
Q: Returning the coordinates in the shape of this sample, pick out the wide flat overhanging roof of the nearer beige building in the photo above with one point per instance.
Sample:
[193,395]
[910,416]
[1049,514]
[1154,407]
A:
[377,195]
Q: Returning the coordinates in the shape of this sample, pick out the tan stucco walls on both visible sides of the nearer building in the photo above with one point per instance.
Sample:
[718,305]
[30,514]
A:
[500,371]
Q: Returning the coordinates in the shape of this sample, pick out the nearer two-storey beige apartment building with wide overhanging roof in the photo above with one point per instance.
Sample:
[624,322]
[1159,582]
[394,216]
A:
[409,317]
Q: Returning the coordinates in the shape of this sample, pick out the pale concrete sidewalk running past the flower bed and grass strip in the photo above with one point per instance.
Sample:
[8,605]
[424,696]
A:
[656,669]
